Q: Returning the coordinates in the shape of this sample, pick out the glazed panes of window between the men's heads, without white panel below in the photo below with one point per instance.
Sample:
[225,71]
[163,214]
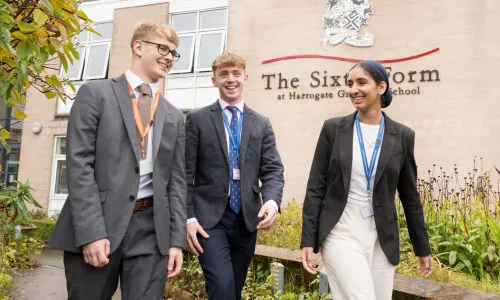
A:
[202,37]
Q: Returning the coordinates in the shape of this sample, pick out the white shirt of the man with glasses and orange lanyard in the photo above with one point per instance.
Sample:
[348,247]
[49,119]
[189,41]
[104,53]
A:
[145,181]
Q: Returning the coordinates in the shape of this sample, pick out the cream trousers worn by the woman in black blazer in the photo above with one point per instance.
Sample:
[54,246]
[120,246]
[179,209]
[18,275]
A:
[357,268]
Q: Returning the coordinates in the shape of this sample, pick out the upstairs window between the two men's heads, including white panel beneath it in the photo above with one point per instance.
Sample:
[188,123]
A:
[202,37]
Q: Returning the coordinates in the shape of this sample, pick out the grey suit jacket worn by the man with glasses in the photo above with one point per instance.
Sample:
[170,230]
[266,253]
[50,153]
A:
[103,170]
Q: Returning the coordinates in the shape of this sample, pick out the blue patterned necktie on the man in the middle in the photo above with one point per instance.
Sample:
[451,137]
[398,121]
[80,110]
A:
[235,196]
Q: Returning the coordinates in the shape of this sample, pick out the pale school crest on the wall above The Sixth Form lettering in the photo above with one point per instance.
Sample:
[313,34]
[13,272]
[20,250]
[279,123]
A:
[342,22]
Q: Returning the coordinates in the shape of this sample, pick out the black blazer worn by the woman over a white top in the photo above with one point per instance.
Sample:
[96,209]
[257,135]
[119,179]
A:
[329,179]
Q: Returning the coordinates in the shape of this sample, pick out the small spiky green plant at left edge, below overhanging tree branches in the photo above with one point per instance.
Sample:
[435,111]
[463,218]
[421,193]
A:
[14,199]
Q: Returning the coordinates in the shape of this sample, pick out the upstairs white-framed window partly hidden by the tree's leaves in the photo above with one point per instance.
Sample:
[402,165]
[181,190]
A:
[94,54]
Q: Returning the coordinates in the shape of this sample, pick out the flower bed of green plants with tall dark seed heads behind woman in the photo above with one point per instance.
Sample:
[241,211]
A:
[463,227]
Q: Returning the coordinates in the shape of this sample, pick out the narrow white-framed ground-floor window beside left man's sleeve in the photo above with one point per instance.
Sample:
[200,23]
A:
[59,185]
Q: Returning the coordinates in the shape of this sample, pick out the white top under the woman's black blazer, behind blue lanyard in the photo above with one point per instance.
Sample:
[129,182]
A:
[357,189]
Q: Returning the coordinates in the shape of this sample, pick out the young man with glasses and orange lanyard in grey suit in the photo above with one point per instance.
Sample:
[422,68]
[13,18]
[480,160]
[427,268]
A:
[125,215]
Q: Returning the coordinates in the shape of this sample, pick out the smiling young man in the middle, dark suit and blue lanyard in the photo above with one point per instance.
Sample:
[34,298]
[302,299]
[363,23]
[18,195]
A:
[229,148]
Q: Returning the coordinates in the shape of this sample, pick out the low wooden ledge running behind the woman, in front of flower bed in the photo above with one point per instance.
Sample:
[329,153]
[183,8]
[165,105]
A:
[426,289]
